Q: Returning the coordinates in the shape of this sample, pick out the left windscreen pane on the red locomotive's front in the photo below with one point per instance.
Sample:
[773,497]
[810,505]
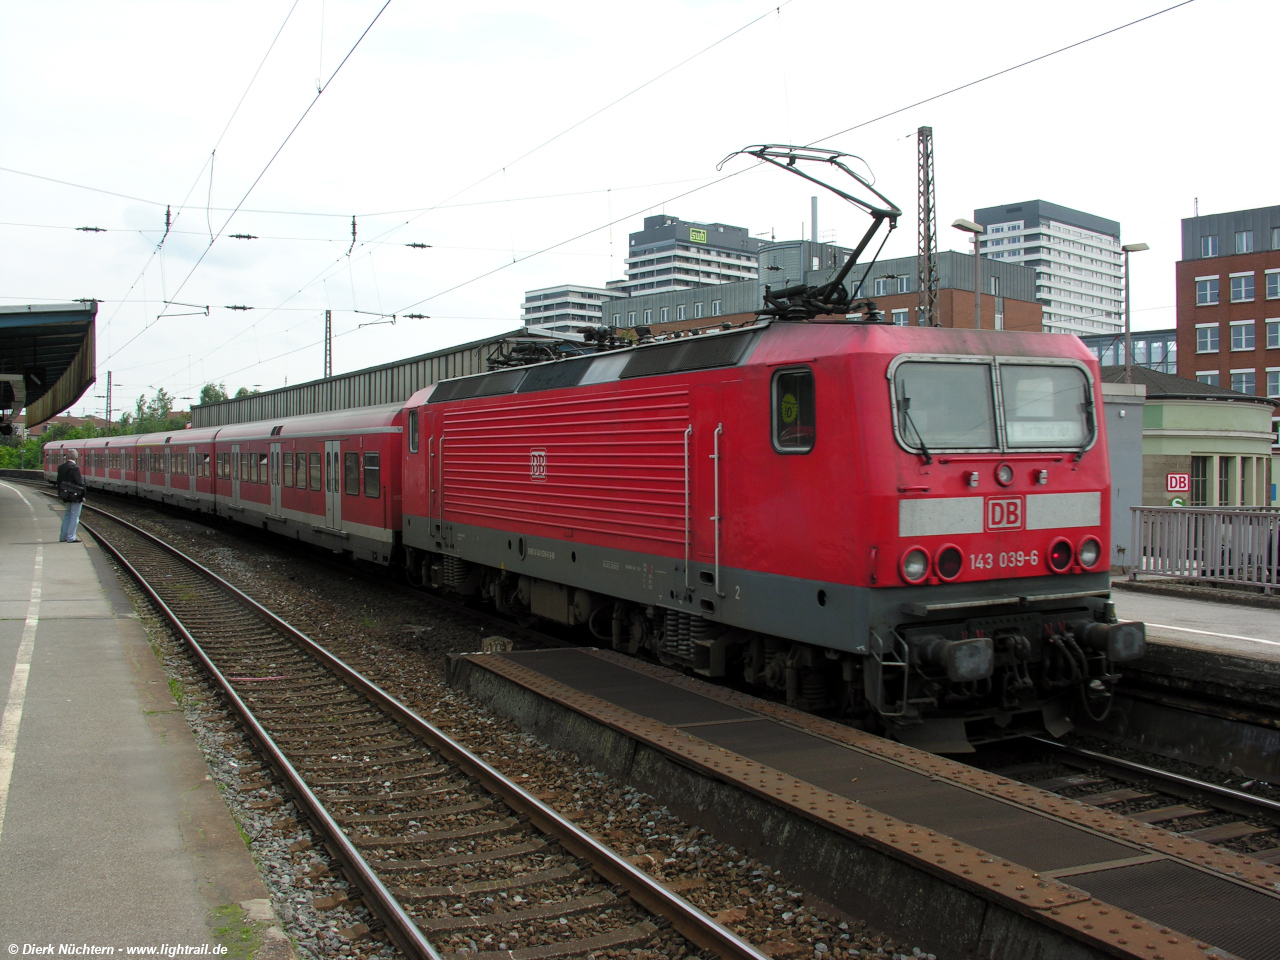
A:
[945,405]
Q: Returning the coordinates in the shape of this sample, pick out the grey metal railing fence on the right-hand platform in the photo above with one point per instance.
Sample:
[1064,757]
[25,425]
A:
[1237,546]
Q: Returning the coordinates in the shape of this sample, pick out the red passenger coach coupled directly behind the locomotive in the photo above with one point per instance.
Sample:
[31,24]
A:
[331,479]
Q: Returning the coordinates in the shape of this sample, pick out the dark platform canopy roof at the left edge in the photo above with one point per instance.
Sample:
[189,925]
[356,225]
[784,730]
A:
[47,358]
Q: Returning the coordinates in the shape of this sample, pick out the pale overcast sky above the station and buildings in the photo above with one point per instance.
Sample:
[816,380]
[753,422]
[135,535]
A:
[426,135]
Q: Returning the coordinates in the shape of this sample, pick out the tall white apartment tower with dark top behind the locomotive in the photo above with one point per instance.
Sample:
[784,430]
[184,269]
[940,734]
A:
[1077,260]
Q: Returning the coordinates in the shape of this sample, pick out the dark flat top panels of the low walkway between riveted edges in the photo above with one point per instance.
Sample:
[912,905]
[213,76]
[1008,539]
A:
[1199,903]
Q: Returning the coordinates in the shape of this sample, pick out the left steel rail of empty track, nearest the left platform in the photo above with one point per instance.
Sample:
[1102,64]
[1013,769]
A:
[400,926]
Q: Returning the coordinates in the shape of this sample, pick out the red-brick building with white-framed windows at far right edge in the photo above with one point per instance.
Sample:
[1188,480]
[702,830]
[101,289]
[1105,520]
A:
[1228,292]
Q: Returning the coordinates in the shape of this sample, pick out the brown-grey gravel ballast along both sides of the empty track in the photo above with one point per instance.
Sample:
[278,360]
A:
[400,641]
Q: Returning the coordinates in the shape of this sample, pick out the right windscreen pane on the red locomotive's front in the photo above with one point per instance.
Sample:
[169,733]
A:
[1046,405]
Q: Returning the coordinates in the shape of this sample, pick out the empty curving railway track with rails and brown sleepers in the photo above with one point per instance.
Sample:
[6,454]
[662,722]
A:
[447,853]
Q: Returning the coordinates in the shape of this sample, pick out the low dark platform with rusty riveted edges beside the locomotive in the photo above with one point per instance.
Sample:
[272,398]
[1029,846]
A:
[911,840]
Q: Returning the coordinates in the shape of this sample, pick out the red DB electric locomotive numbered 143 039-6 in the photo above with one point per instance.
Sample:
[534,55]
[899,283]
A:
[899,524]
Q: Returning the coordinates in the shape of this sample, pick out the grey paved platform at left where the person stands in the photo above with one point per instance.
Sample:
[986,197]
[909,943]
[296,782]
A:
[112,833]
